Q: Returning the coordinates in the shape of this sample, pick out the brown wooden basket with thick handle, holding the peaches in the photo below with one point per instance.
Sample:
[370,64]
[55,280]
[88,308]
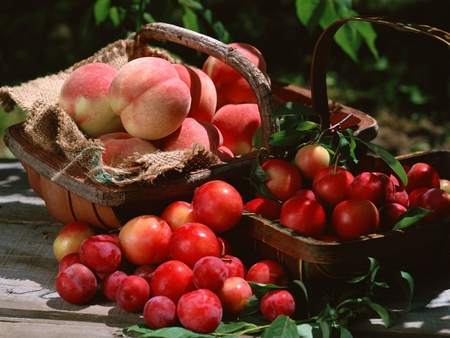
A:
[74,196]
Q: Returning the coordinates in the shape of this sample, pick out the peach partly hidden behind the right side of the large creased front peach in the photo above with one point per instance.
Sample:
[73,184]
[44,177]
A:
[203,92]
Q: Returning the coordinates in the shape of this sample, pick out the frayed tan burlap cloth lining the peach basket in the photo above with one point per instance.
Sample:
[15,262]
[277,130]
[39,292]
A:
[54,130]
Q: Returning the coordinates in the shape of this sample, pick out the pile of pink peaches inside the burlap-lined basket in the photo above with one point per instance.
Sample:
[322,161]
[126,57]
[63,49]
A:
[151,104]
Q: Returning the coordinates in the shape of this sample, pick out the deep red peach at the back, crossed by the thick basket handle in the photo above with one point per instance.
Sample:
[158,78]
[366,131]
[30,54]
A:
[231,86]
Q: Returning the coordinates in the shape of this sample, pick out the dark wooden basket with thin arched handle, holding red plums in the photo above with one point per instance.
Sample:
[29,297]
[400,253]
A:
[414,249]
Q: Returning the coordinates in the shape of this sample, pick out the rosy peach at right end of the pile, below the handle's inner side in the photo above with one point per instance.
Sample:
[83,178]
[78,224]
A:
[238,123]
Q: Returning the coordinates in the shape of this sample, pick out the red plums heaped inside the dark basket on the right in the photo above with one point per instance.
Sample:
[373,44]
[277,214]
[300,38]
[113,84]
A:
[330,203]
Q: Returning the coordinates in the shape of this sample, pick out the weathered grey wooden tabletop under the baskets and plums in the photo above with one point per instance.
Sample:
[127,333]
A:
[30,306]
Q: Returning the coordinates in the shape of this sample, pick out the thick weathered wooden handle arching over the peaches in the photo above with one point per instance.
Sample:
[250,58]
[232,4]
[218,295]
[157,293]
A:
[229,55]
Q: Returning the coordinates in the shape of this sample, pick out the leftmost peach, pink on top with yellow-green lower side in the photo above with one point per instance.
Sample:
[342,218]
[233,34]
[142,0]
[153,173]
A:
[84,96]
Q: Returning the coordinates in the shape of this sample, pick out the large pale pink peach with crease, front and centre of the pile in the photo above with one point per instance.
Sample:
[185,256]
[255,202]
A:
[150,98]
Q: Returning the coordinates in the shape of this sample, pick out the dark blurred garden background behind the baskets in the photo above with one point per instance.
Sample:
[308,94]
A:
[406,89]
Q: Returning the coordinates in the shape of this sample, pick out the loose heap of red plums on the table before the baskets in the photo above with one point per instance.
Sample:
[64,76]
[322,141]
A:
[175,269]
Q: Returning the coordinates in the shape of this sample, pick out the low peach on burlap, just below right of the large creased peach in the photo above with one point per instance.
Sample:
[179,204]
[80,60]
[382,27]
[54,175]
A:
[192,130]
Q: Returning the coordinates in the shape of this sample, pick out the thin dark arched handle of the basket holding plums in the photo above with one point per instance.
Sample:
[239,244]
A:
[322,50]
